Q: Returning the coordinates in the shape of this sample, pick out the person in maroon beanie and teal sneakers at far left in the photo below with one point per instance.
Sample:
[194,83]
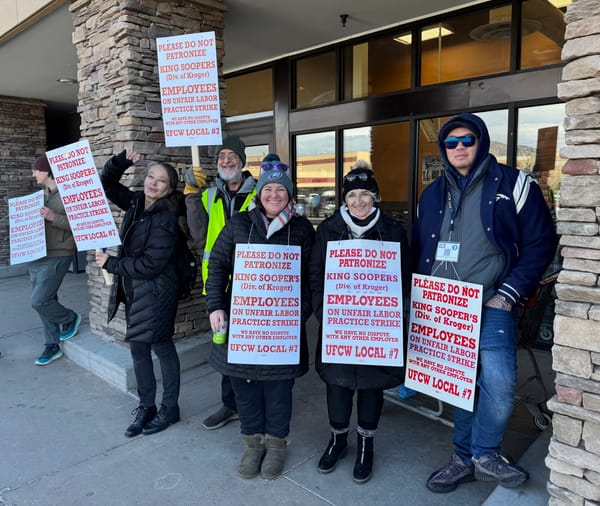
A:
[47,274]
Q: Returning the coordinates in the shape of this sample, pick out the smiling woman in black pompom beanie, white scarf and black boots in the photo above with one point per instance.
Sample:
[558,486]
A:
[359,217]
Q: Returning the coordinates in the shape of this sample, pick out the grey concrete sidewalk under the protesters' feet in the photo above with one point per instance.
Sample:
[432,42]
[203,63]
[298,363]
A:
[62,439]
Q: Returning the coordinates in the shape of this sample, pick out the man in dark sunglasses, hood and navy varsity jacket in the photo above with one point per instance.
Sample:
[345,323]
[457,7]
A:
[496,218]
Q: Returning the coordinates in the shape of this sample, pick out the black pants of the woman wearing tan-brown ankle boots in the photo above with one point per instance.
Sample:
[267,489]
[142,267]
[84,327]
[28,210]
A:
[265,407]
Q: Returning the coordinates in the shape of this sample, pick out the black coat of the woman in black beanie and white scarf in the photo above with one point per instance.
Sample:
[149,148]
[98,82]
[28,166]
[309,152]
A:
[334,229]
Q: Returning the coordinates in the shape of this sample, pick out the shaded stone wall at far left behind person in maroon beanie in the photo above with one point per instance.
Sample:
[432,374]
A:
[22,140]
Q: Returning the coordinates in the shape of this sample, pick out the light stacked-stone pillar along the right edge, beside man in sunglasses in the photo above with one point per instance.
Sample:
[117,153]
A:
[574,451]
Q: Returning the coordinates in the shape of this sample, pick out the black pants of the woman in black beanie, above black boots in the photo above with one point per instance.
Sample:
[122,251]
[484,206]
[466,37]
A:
[369,404]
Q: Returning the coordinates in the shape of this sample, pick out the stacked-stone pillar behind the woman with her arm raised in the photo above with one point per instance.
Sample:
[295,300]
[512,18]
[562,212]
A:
[119,105]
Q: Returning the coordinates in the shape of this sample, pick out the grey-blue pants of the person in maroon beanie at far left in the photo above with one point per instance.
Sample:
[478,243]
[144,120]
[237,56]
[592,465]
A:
[46,276]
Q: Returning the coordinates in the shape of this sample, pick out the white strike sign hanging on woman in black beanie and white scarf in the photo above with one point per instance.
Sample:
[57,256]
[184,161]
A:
[362,303]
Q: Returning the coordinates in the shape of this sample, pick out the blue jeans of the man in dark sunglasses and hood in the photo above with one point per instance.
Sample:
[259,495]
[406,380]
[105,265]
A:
[480,432]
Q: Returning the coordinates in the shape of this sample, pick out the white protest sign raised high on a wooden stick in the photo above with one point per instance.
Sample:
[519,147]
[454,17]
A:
[189,89]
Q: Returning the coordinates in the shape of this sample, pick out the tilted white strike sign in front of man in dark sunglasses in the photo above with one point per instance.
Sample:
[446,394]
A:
[443,339]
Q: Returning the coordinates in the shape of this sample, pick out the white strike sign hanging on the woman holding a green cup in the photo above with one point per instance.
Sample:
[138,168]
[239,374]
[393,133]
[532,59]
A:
[264,322]
